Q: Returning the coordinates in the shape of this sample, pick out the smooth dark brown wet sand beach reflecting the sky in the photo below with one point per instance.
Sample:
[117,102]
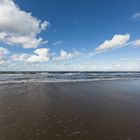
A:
[101,110]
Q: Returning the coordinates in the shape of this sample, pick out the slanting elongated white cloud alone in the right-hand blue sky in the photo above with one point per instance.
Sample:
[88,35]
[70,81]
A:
[116,41]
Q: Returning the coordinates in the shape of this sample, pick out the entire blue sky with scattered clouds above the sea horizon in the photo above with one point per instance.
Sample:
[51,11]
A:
[69,35]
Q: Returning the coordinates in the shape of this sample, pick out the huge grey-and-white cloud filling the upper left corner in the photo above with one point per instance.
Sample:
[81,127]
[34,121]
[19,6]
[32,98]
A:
[18,27]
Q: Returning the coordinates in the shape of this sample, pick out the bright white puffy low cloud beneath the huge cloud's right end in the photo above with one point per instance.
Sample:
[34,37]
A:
[41,55]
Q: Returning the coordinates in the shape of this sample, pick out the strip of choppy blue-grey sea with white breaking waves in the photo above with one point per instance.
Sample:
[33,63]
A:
[17,77]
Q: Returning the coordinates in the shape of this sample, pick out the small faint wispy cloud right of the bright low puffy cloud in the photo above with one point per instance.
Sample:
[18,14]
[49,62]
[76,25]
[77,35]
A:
[67,55]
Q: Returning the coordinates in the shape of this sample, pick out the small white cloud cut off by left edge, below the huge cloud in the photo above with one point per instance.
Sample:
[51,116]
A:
[3,53]
